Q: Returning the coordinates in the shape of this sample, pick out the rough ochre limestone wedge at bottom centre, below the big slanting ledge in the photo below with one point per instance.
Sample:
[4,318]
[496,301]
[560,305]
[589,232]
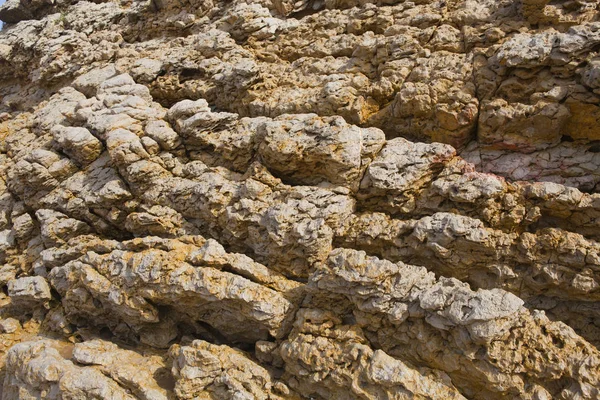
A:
[328,359]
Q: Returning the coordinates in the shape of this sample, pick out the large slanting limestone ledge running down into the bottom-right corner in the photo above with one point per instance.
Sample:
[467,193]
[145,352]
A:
[393,301]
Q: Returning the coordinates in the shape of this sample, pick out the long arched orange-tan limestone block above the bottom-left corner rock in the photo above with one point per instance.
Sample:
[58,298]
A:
[196,279]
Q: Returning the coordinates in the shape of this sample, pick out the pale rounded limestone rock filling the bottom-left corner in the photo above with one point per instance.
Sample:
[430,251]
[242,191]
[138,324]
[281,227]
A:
[44,368]
